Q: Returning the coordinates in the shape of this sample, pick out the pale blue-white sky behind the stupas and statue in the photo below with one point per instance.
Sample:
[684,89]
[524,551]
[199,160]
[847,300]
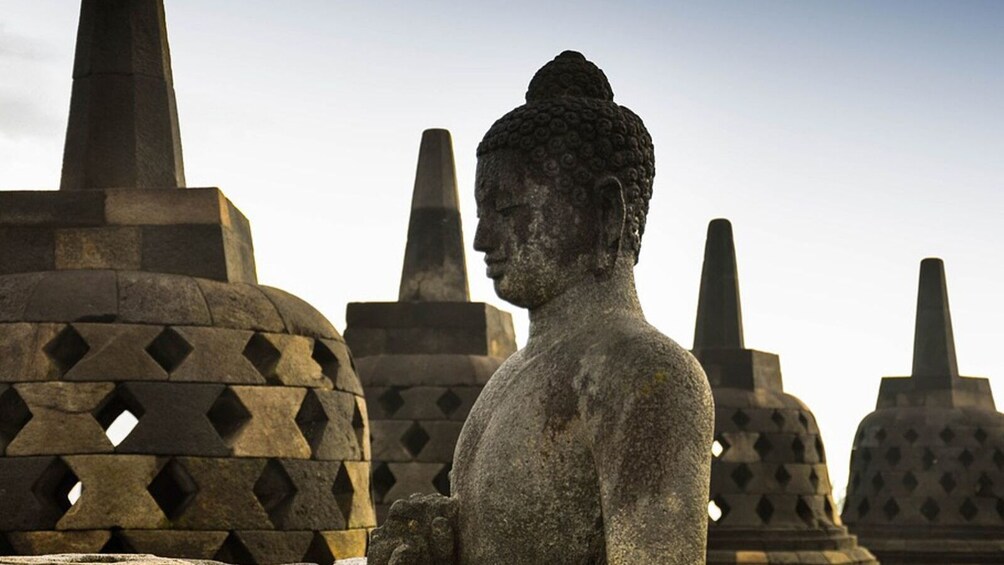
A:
[846,141]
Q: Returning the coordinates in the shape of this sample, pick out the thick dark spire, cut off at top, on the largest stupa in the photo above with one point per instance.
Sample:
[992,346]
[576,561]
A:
[123,131]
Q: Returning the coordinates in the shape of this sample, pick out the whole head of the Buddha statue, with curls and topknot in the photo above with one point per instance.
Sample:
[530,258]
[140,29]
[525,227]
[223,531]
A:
[563,186]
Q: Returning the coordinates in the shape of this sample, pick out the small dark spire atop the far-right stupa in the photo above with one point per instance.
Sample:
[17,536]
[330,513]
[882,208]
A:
[935,363]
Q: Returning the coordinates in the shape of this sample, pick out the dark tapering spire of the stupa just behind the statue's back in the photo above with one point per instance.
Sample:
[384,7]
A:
[719,313]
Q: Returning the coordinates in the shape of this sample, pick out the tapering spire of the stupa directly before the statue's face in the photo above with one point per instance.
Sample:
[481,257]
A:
[435,268]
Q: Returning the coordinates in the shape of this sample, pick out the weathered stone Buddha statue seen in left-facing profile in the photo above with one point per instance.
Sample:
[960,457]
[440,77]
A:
[593,444]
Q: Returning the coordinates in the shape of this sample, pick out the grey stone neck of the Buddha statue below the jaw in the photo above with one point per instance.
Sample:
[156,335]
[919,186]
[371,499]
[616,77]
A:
[588,304]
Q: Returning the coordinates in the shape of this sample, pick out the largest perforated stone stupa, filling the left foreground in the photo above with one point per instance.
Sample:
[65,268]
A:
[124,295]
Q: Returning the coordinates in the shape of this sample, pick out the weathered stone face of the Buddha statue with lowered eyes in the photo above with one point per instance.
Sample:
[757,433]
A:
[537,244]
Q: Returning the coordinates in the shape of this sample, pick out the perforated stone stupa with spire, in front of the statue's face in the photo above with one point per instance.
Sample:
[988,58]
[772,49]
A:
[424,360]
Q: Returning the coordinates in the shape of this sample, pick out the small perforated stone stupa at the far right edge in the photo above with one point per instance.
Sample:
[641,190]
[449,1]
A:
[927,469]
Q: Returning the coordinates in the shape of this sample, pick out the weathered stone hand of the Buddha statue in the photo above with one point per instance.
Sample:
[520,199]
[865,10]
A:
[418,531]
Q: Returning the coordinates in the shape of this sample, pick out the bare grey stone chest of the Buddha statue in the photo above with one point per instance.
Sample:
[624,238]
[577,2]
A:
[524,471]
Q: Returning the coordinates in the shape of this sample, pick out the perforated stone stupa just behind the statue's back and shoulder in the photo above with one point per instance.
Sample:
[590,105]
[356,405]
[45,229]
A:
[771,492]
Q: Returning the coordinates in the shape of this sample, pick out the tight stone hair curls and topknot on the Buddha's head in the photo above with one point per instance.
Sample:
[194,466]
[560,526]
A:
[572,134]
